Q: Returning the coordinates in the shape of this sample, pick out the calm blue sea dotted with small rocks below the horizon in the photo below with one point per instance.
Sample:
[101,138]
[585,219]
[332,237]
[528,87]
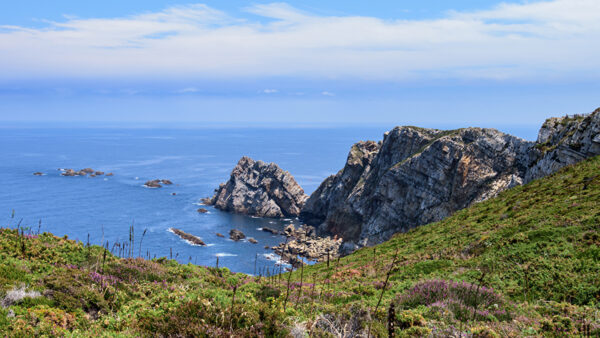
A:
[197,160]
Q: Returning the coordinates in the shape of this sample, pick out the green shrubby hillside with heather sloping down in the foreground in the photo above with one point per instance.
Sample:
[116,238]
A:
[537,245]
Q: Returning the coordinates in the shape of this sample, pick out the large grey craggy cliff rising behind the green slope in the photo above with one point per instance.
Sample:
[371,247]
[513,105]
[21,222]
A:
[417,176]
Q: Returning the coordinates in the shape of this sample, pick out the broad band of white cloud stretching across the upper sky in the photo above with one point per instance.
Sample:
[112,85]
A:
[535,40]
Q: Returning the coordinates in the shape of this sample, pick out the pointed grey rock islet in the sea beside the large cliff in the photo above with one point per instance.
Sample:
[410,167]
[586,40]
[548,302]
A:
[259,189]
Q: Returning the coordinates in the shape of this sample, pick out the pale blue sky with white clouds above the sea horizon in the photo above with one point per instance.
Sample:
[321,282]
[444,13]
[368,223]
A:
[431,63]
